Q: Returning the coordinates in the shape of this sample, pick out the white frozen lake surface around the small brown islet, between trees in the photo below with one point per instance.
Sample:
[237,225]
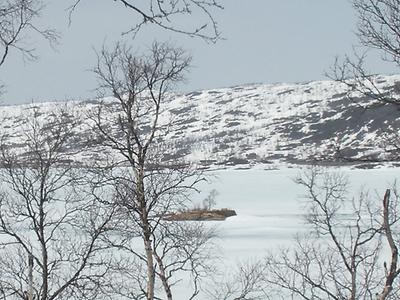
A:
[269,205]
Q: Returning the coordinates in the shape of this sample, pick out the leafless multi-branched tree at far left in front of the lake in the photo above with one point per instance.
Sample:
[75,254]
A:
[47,215]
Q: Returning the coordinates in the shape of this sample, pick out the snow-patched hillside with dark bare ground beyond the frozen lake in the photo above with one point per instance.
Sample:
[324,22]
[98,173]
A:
[246,125]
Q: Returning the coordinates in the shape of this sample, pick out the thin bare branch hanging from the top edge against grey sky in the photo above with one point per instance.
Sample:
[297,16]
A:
[169,15]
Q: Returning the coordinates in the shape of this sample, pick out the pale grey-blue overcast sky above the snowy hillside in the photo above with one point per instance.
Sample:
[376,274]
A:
[265,41]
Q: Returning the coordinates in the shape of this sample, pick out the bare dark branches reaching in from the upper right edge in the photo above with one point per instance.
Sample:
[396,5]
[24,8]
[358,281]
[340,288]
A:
[378,30]
